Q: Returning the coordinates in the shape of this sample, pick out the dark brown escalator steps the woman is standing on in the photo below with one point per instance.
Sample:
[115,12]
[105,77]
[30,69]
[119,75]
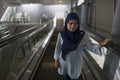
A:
[46,69]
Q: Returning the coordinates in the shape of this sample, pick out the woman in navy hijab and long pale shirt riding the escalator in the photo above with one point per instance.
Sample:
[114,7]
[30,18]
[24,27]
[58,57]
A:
[70,44]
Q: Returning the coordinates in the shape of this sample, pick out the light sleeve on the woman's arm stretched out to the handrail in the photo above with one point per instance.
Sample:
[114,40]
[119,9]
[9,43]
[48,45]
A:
[92,46]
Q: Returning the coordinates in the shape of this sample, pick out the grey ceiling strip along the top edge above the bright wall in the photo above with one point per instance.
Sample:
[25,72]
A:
[44,2]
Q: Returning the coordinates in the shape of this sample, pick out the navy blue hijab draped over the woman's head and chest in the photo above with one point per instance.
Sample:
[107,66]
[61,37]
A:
[71,40]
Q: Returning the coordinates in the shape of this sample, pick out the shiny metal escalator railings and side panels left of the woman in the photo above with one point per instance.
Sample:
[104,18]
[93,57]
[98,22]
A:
[17,51]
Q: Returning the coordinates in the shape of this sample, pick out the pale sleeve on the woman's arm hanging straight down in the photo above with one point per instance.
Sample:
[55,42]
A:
[57,47]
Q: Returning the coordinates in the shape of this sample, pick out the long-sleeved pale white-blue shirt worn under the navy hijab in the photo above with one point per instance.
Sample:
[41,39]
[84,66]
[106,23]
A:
[73,63]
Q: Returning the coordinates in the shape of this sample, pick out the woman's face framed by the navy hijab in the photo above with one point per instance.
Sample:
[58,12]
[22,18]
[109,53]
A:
[72,25]
